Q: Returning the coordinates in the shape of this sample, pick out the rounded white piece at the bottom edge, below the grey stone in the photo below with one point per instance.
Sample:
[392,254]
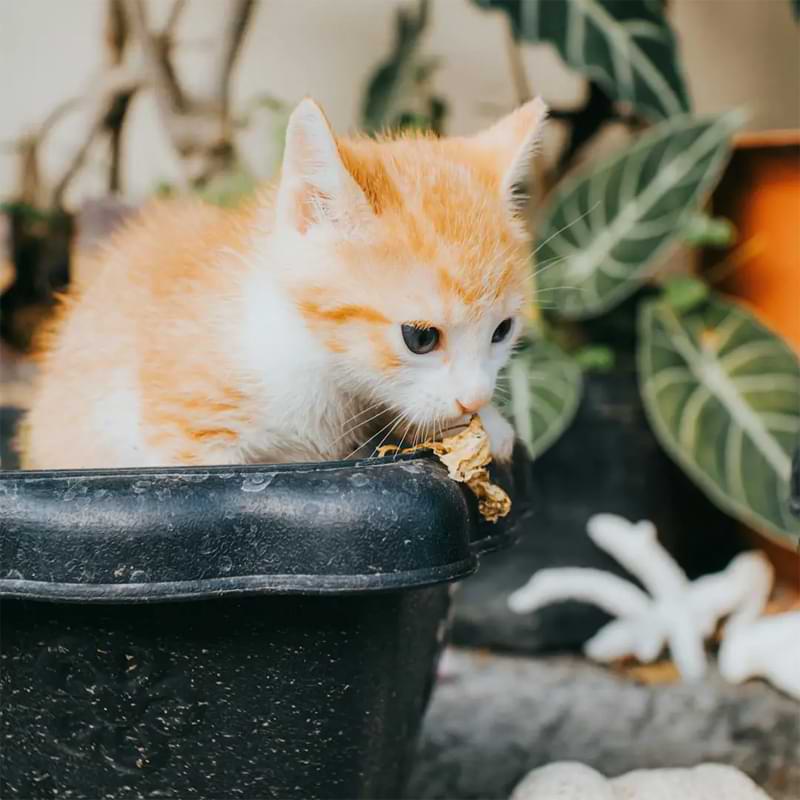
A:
[573,781]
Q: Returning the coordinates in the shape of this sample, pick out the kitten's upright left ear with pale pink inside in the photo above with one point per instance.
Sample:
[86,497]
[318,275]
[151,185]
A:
[315,186]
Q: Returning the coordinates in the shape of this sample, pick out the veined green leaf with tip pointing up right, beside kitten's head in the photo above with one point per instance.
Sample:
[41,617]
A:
[605,227]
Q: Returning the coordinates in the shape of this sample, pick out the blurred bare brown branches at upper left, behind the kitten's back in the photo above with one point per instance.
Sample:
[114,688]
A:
[198,122]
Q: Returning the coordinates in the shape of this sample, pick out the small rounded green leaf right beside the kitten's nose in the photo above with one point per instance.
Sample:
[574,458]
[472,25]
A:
[541,390]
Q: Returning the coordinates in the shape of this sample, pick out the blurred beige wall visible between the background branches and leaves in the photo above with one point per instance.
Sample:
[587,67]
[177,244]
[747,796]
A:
[736,53]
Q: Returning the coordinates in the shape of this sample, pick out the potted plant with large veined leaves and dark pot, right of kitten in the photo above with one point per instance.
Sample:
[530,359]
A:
[631,354]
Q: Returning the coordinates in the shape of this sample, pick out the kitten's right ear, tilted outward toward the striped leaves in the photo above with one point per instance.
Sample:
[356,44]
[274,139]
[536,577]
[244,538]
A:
[514,141]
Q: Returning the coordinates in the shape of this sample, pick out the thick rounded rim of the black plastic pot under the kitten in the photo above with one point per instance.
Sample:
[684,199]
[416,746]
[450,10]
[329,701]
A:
[157,534]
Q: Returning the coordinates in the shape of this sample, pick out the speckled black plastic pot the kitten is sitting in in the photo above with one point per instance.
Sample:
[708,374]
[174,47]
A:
[301,669]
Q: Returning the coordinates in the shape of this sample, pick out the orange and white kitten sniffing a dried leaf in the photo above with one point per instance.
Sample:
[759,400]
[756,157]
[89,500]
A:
[374,293]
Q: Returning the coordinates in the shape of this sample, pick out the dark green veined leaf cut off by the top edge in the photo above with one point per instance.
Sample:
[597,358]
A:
[626,46]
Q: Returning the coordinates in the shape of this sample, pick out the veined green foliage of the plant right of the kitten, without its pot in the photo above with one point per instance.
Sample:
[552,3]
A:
[720,390]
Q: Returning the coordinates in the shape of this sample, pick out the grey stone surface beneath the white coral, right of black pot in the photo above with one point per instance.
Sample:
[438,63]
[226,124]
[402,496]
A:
[494,718]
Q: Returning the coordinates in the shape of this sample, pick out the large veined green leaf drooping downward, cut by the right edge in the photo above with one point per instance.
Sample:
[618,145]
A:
[723,396]
